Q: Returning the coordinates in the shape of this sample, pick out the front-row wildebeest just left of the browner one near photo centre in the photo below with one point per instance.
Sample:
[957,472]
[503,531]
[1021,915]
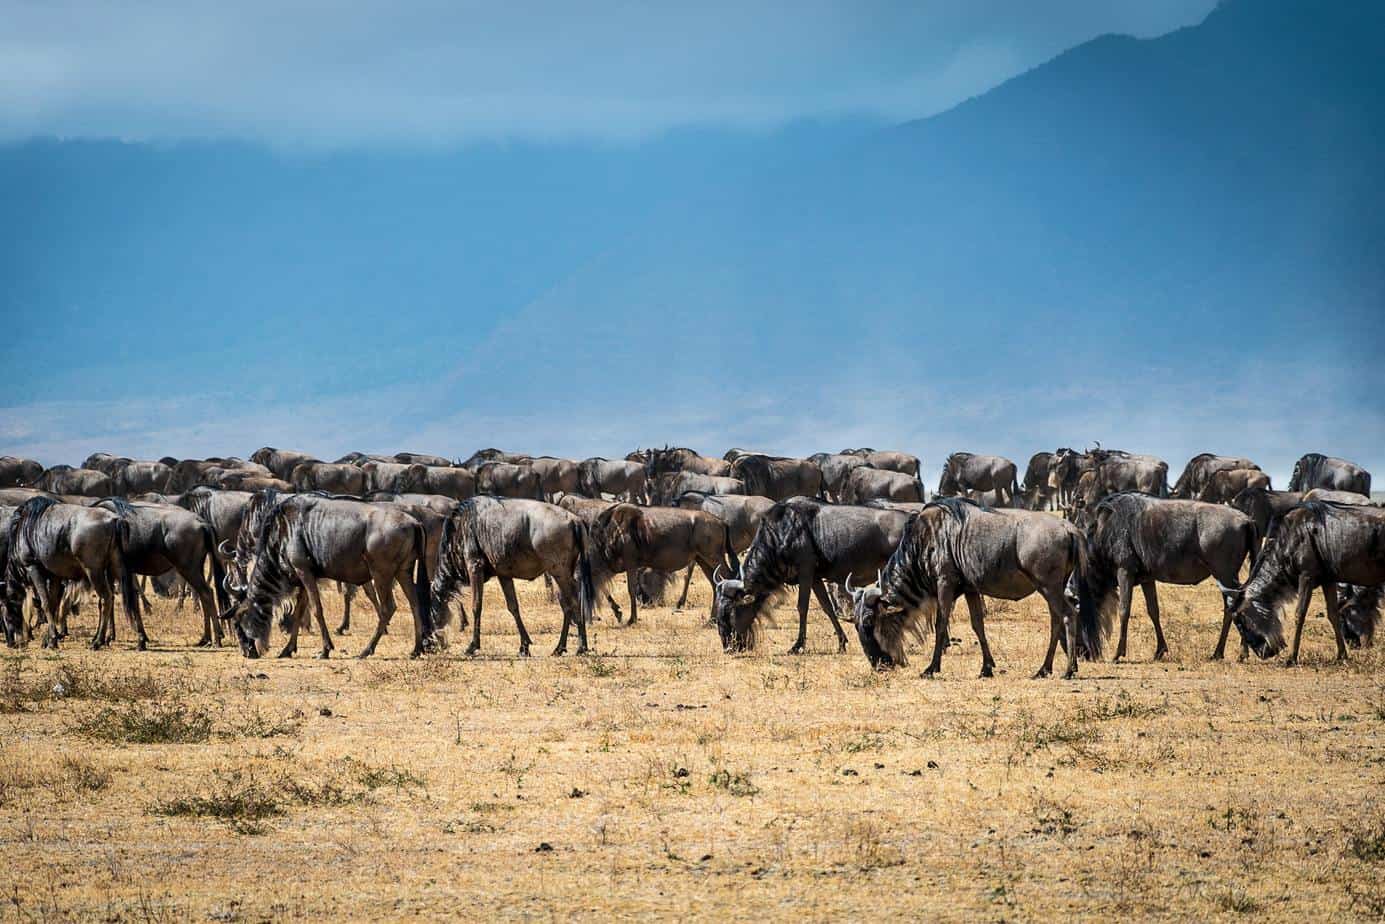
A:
[508,540]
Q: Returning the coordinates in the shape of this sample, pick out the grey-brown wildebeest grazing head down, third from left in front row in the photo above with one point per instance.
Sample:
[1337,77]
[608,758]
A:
[307,538]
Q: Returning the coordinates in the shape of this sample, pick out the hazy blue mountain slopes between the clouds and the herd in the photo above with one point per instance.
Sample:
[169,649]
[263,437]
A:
[1174,245]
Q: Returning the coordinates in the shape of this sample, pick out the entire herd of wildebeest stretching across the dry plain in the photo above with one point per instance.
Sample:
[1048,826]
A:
[251,541]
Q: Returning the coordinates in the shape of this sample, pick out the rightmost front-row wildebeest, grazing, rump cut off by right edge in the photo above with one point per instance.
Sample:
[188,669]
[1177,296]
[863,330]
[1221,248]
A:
[1315,545]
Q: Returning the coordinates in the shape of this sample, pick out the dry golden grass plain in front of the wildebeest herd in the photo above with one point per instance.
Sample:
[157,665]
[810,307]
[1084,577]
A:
[664,778]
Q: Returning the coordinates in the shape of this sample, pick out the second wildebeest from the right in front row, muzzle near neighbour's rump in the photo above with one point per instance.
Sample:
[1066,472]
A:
[1141,541]
